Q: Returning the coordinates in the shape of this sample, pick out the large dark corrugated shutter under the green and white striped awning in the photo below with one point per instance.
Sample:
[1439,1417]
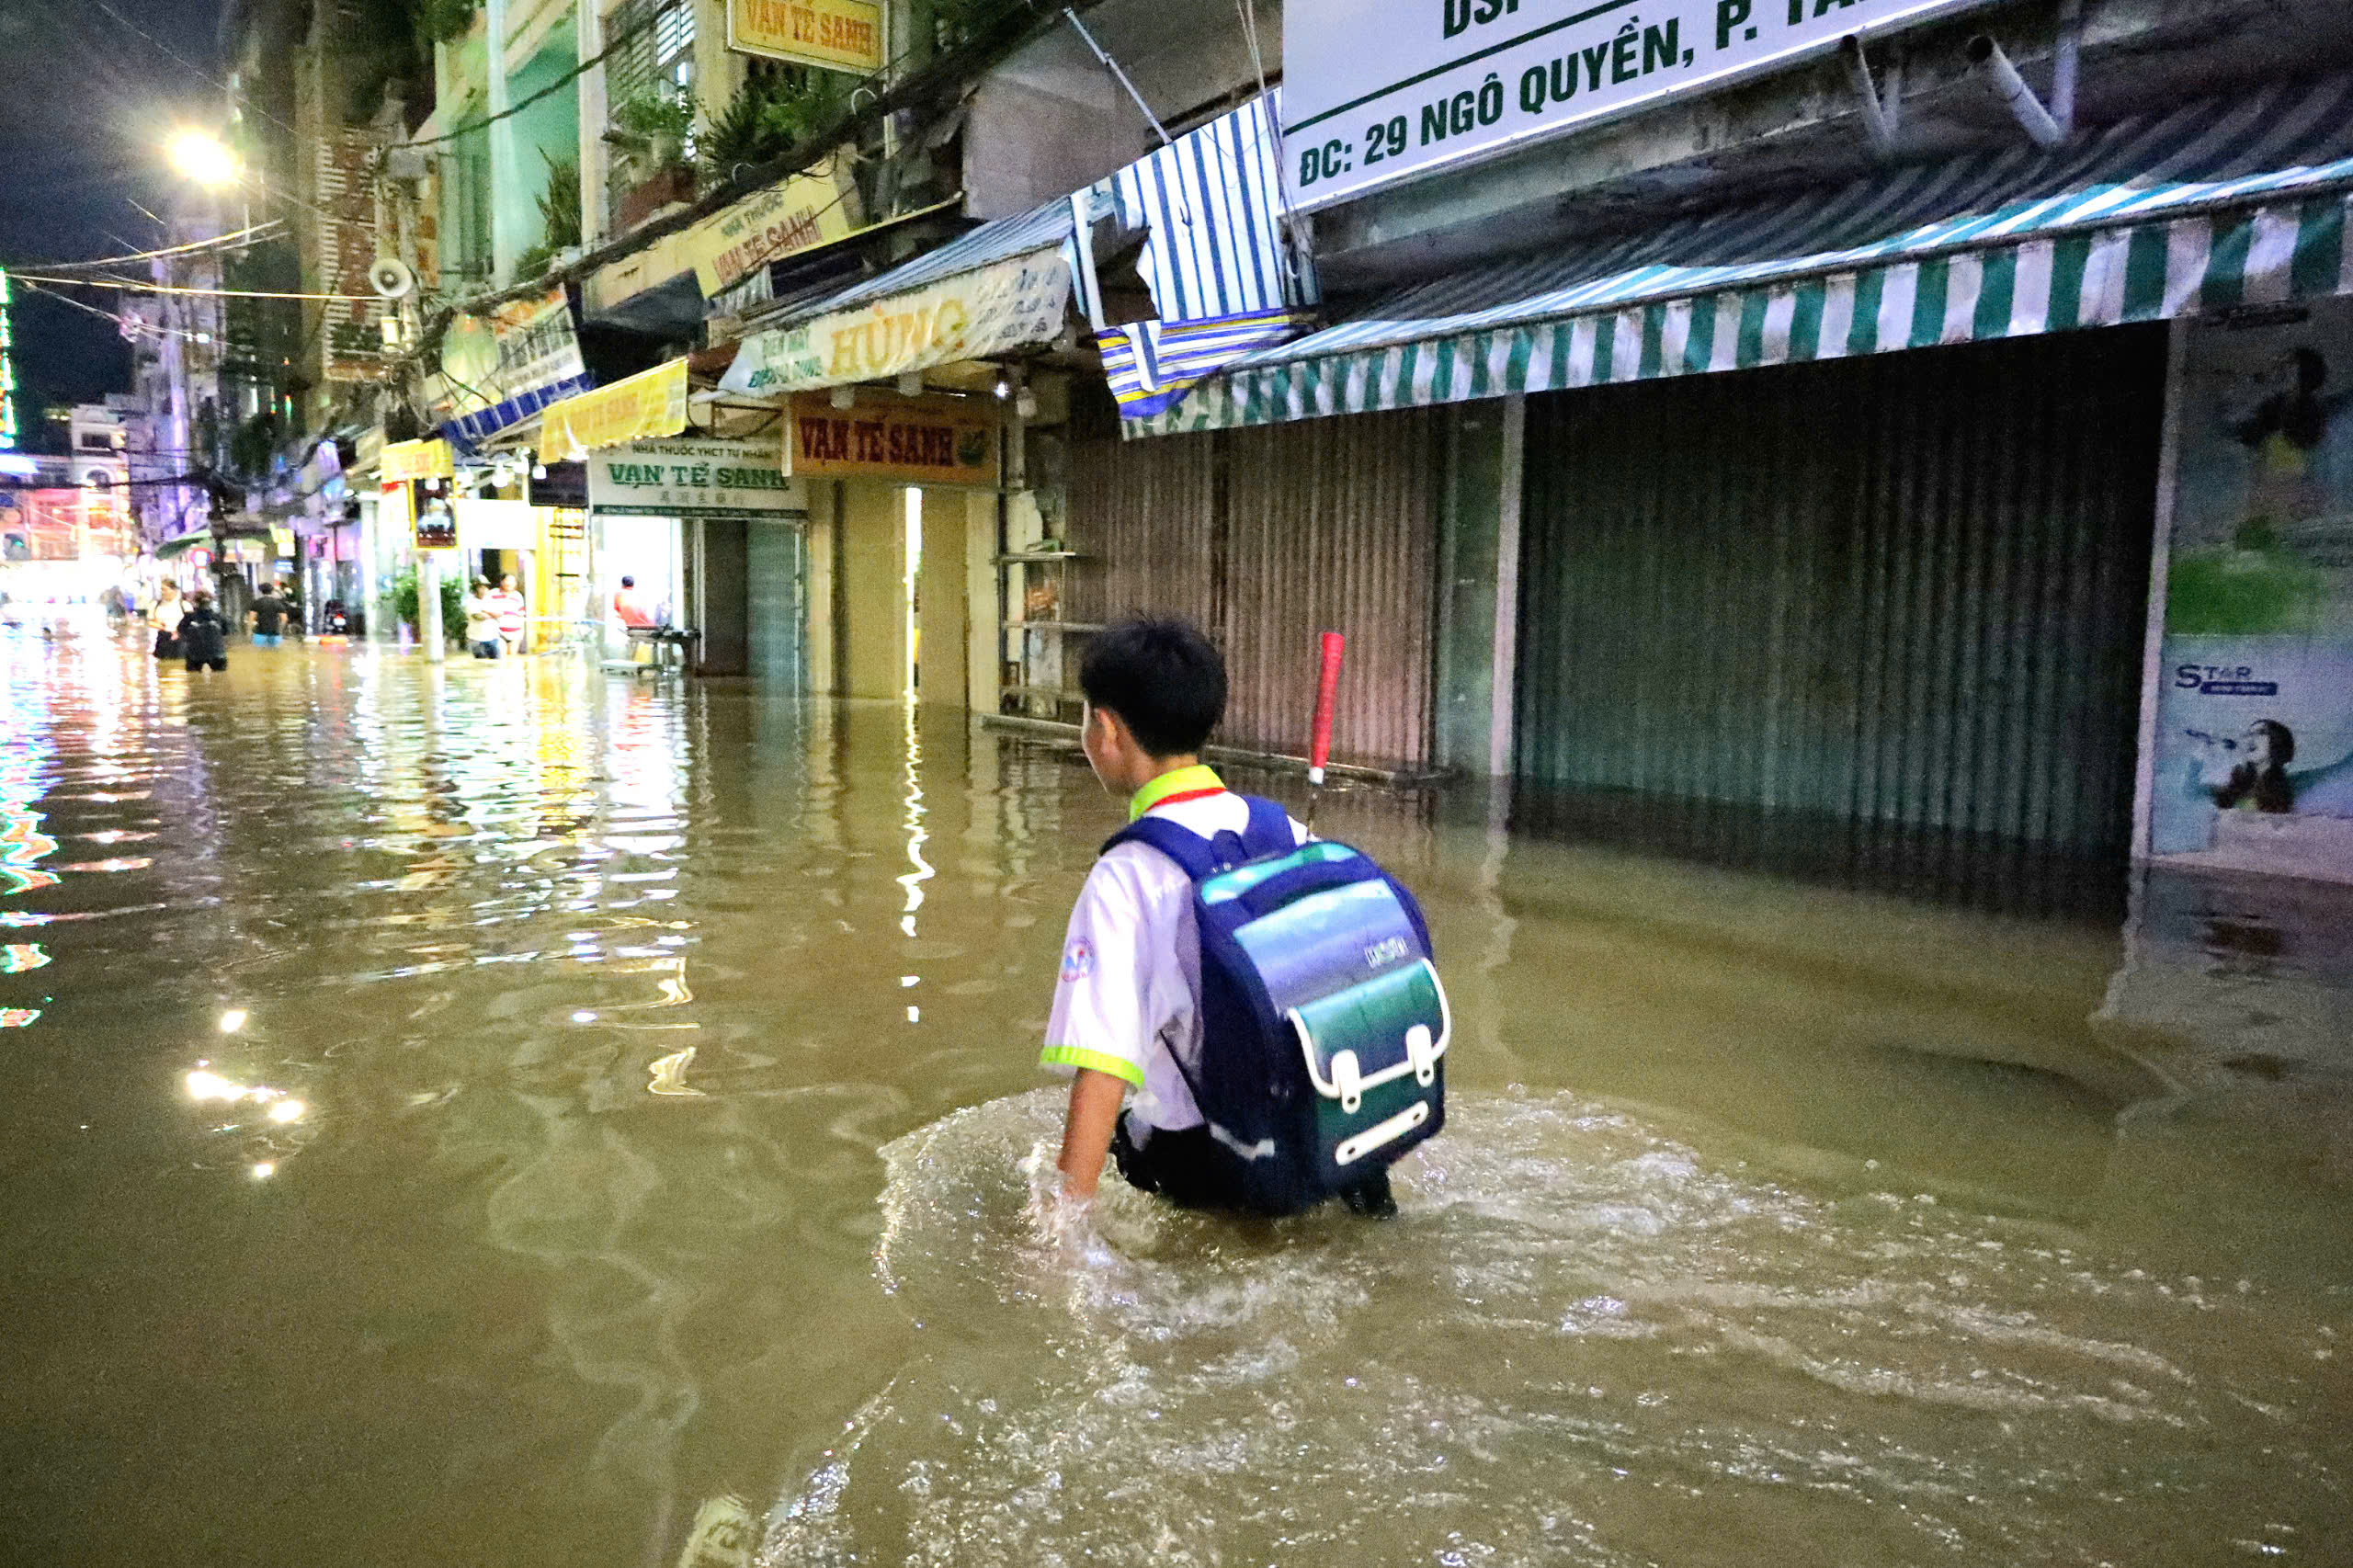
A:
[1874,618]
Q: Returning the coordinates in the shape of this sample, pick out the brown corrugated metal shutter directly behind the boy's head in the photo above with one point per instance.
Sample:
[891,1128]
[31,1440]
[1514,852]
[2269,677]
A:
[1267,538]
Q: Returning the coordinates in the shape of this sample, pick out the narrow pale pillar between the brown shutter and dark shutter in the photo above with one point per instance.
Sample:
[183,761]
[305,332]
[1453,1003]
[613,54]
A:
[1479,590]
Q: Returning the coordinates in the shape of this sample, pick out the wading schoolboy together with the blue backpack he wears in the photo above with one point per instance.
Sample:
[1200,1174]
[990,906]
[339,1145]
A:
[1267,1002]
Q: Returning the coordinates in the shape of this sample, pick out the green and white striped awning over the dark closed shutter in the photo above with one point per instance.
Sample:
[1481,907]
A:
[2211,206]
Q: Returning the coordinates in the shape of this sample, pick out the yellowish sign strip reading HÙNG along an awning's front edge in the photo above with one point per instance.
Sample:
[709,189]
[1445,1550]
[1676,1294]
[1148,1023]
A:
[992,310]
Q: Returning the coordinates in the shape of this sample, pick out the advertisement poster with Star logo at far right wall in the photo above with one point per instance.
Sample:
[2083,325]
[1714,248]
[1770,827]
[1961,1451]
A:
[2255,710]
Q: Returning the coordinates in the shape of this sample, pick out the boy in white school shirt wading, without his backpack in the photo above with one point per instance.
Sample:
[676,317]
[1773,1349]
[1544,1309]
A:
[1126,1006]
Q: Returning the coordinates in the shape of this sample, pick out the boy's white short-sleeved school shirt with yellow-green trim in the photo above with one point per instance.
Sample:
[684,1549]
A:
[1131,964]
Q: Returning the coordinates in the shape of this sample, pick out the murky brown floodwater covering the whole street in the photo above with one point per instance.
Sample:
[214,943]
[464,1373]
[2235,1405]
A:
[512,1115]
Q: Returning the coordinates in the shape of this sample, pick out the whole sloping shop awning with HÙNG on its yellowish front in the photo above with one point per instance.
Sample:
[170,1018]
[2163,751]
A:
[994,291]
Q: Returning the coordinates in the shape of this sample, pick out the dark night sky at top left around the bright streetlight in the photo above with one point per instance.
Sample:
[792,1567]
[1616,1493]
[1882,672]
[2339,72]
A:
[91,102]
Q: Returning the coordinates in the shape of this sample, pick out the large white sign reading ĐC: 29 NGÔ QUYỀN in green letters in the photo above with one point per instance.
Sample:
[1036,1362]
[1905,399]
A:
[1418,86]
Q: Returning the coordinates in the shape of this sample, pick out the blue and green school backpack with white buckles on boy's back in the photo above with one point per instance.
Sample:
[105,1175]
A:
[1324,1021]
